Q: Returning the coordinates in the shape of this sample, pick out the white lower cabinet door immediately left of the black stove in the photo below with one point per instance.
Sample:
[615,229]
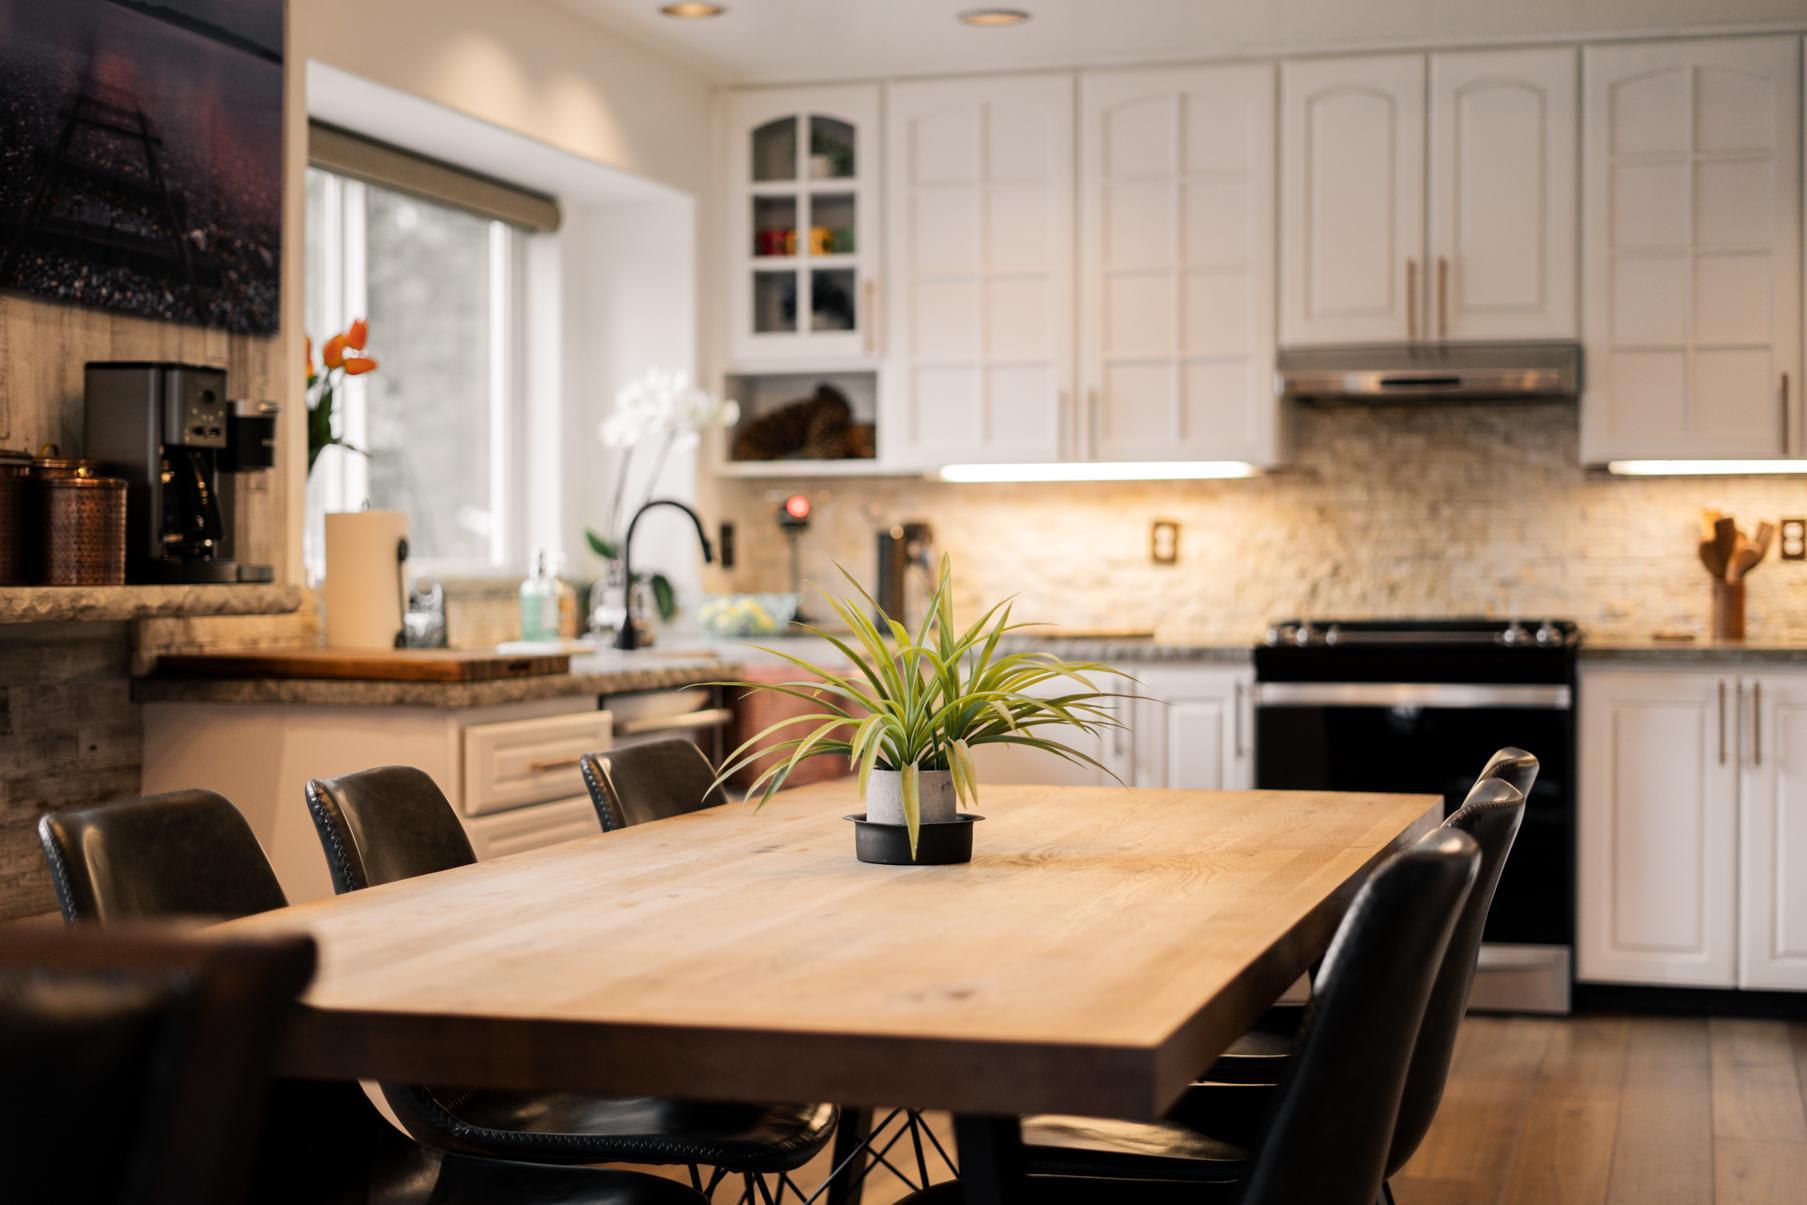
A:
[1195,727]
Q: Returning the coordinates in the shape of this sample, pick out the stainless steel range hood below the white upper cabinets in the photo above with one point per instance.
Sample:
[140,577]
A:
[1380,373]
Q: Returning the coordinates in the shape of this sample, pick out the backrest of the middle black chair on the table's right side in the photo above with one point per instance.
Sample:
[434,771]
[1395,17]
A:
[1492,816]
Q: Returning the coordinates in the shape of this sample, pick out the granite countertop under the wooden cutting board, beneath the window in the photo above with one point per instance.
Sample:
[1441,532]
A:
[592,675]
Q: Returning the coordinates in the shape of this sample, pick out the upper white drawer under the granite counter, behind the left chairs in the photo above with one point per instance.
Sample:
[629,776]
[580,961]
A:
[529,761]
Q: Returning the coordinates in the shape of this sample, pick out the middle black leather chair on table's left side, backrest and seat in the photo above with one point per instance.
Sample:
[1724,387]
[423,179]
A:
[393,823]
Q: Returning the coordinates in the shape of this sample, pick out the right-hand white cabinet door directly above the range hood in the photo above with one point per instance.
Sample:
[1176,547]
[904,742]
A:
[1504,196]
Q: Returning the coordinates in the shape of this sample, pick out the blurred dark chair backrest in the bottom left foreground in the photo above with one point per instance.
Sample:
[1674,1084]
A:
[138,1060]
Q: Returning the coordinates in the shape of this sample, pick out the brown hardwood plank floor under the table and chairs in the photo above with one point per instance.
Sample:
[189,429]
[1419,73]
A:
[1598,1112]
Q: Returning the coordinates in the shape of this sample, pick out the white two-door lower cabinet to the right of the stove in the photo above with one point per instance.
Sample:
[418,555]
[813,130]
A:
[1694,828]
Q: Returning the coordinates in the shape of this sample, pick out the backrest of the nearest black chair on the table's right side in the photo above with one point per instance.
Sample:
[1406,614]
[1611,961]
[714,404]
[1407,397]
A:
[1340,1096]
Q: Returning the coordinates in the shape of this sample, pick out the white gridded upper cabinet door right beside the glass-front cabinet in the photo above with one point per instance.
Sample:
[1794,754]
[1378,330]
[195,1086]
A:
[980,351]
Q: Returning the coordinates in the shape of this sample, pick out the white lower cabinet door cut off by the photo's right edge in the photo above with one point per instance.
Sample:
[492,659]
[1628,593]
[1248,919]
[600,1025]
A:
[1774,870]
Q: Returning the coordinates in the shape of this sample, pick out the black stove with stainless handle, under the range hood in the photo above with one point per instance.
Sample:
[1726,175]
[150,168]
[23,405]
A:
[1418,707]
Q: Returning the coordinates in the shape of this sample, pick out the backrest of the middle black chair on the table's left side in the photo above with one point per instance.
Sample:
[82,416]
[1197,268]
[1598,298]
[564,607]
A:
[386,825]
